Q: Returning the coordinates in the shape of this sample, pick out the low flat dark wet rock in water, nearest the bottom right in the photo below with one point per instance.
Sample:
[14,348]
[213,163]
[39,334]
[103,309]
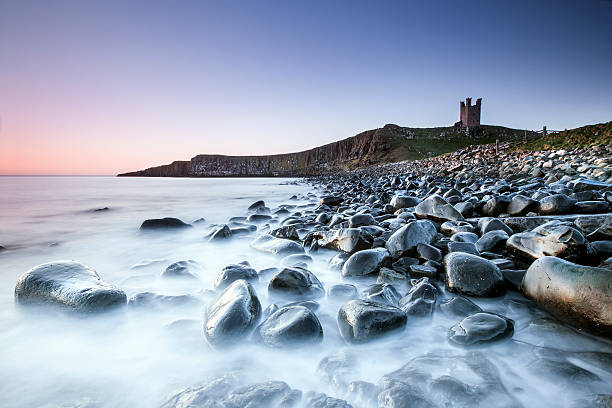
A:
[480,327]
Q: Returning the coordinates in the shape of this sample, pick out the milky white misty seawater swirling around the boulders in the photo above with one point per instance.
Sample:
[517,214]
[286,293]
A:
[137,357]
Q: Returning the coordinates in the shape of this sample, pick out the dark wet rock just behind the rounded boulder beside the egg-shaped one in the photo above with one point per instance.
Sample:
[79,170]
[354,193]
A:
[296,283]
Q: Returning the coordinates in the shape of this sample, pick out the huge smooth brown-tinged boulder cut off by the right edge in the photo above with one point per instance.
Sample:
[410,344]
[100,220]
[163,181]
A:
[575,294]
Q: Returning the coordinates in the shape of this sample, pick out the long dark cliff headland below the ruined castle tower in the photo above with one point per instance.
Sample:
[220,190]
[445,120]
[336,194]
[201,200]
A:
[386,144]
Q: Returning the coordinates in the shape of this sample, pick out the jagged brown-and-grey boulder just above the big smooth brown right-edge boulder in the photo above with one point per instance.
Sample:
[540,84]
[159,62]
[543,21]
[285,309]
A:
[551,239]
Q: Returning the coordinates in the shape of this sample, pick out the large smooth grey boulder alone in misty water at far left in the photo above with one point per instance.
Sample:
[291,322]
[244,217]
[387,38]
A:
[68,284]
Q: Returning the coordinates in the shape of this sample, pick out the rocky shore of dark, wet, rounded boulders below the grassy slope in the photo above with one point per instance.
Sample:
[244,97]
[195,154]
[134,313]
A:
[456,243]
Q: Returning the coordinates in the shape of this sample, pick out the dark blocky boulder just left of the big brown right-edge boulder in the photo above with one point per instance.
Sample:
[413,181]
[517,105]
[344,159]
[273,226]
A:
[472,275]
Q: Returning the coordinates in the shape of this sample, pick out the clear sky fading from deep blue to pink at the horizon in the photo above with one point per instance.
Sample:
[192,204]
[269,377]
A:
[103,87]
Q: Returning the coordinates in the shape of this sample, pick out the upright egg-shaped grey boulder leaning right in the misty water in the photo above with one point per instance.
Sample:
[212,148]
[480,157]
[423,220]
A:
[232,317]
